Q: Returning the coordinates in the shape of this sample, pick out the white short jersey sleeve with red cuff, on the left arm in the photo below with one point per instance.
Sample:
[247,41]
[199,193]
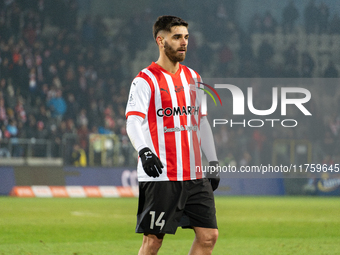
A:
[139,98]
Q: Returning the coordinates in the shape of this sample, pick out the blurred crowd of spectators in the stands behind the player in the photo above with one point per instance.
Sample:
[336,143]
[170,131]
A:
[65,74]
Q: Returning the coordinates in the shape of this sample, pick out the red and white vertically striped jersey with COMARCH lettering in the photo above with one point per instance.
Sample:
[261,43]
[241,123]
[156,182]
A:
[170,105]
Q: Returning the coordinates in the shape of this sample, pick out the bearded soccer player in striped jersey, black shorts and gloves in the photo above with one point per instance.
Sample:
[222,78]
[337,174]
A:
[166,126]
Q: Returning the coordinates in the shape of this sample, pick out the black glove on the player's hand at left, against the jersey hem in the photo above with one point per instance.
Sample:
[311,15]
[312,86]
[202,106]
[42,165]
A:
[151,163]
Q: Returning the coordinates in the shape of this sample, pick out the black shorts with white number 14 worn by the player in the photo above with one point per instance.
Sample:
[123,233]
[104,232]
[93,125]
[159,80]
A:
[165,205]
